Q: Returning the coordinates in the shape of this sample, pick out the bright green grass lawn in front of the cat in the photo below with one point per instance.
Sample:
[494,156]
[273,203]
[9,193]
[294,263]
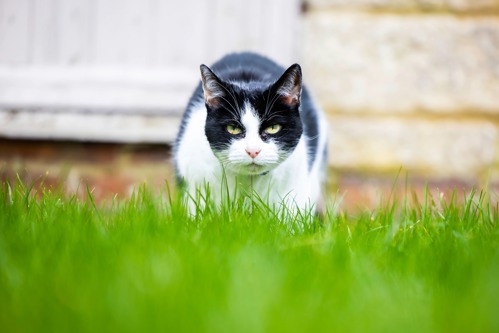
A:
[69,265]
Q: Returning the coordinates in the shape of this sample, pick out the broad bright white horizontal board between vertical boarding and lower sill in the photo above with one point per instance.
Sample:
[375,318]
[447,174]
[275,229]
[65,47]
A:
[98,89]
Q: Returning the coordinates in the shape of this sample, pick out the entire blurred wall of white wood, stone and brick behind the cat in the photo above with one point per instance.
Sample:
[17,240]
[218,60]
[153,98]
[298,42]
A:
[91,91]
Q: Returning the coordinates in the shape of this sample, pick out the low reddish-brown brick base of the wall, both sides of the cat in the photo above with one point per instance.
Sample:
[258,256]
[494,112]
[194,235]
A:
[115,170]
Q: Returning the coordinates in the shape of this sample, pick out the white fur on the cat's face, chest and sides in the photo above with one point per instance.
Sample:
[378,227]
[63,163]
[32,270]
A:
[277,182]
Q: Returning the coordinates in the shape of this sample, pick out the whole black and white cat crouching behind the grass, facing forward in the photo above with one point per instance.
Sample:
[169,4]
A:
[251,125]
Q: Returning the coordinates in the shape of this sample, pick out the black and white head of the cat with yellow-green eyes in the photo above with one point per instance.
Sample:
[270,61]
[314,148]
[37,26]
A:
[252,127]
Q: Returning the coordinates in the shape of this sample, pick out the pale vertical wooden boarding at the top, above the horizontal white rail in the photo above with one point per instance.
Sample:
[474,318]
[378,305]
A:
[143,32]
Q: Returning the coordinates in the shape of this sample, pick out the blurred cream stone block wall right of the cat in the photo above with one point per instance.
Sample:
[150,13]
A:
[408,85]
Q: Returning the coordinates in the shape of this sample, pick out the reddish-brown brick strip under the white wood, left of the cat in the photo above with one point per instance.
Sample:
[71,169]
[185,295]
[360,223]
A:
[108,170]
